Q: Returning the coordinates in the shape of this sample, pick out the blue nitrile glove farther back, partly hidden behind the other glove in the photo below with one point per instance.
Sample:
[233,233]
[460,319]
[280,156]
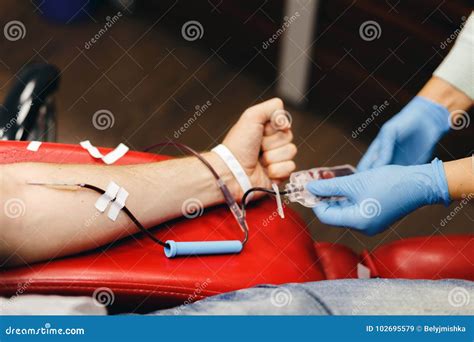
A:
[409,137]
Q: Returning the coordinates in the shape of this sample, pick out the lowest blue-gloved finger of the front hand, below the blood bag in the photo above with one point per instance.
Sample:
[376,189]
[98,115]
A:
[334,214]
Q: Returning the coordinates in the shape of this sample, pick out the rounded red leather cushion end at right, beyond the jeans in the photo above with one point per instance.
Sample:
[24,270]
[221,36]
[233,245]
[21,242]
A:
[433,257]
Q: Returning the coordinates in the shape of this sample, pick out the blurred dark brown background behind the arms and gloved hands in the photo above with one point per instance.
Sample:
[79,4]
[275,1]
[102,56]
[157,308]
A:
[151,78]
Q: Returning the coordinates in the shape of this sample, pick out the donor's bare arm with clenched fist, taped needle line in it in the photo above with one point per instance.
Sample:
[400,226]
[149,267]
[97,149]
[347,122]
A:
[58,222]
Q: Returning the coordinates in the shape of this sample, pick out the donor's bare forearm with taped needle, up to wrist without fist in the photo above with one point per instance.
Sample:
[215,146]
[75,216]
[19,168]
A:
[60,222]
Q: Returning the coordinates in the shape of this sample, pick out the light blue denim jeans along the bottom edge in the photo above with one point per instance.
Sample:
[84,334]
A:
[341,297]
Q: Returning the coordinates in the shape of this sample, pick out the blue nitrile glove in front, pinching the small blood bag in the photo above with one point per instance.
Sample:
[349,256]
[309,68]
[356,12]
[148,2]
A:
[378,197]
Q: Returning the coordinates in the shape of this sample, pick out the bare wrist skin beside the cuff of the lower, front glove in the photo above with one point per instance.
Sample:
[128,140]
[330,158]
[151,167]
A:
[460,177]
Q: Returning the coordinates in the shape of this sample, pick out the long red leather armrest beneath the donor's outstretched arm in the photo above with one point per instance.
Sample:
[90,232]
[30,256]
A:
[136,270]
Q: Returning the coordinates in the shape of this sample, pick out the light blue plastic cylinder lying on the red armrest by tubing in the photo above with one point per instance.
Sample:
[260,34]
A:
[174,248]
